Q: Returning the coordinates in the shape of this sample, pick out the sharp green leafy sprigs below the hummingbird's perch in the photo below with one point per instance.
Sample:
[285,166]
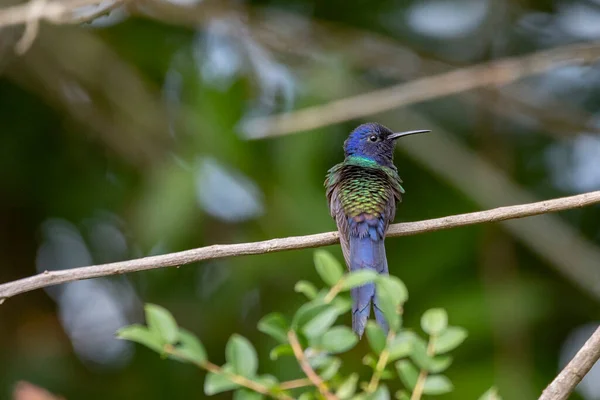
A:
[402,354]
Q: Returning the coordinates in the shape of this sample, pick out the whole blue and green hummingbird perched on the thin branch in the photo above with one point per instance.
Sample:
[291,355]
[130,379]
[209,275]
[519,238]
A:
[362,192]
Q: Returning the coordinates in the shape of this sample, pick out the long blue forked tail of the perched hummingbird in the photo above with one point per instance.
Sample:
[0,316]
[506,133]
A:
[367,252]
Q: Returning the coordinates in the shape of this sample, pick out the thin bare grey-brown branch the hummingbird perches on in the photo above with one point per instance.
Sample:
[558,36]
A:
[49,278]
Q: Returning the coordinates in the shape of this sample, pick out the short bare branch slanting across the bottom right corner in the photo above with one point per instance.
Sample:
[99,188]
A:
[562,386]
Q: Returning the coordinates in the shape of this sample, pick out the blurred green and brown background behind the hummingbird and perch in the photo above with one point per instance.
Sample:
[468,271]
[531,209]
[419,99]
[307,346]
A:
[129,136]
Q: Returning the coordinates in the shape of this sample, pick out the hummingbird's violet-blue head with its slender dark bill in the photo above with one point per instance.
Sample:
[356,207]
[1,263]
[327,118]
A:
[375,142]
